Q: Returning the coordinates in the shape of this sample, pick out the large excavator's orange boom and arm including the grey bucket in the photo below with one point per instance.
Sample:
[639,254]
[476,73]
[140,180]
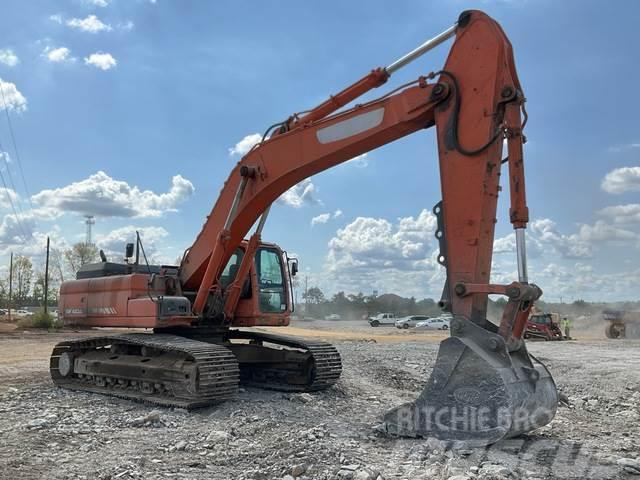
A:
[475,102]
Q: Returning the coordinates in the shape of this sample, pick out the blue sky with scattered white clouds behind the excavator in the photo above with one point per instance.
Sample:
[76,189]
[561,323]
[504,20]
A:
[131,109]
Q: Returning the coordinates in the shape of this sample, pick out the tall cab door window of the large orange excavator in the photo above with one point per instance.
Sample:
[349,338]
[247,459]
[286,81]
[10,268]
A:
[271,287]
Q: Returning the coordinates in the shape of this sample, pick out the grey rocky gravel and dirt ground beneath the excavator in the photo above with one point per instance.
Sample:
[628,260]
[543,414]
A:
[51,433]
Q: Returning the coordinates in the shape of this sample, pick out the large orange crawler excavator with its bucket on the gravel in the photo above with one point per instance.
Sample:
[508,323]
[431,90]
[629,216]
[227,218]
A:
[484,386]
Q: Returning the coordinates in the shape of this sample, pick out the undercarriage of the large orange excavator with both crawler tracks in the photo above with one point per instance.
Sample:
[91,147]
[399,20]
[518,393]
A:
[198,369]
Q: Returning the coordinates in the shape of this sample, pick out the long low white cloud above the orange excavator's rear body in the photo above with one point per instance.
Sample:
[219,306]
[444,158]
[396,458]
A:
[103,196]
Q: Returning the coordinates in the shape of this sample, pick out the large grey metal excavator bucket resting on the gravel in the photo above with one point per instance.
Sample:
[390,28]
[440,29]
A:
[479,392]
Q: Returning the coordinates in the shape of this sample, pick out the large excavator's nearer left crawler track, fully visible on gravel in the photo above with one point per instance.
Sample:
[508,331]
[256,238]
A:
[161,369]
